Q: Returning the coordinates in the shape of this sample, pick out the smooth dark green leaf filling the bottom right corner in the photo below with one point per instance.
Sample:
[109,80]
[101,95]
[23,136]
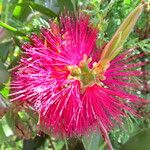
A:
[138,142]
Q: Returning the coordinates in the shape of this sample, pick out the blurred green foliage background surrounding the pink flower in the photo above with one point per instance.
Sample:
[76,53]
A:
[19,18]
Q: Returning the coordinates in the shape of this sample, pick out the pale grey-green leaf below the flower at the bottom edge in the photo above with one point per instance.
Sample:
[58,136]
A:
[92,141]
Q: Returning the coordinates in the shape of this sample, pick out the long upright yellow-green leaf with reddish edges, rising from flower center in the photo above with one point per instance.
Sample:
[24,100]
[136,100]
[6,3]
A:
[124,30]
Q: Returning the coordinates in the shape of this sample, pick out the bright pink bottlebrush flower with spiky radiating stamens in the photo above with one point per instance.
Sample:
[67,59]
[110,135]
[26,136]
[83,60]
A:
[60,78]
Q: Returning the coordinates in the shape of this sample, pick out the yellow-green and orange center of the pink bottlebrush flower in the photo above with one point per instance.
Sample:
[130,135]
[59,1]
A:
[87,76]
